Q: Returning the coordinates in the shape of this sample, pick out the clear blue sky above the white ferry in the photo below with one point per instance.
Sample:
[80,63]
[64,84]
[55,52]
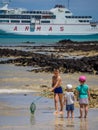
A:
[77,7]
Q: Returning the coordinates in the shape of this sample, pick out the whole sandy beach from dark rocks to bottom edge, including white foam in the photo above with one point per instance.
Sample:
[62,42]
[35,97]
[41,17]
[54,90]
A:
[17,92]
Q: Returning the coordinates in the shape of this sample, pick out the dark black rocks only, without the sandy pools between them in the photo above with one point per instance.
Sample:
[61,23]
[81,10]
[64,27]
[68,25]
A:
[49,62]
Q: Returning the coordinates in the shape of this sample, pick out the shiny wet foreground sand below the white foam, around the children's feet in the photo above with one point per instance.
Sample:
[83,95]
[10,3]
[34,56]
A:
[15,115]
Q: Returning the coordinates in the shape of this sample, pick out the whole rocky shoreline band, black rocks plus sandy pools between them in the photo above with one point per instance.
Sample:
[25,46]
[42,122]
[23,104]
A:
[66,55]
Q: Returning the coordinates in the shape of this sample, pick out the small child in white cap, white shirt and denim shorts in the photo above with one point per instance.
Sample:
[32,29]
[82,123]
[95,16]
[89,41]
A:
[69,101]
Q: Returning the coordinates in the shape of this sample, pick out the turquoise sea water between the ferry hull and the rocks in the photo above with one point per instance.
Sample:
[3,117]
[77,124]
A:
[16,40]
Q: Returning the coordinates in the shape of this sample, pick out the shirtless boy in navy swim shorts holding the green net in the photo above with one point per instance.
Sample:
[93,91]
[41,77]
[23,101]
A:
[58,92]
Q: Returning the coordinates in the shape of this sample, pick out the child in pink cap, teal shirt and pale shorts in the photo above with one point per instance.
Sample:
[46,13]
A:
[83,95]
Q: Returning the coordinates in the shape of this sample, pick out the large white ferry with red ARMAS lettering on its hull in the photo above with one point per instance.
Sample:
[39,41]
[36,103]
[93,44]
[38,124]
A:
[56,21]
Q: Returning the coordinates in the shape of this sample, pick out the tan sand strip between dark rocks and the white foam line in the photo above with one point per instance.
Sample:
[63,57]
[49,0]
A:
[14,77]
